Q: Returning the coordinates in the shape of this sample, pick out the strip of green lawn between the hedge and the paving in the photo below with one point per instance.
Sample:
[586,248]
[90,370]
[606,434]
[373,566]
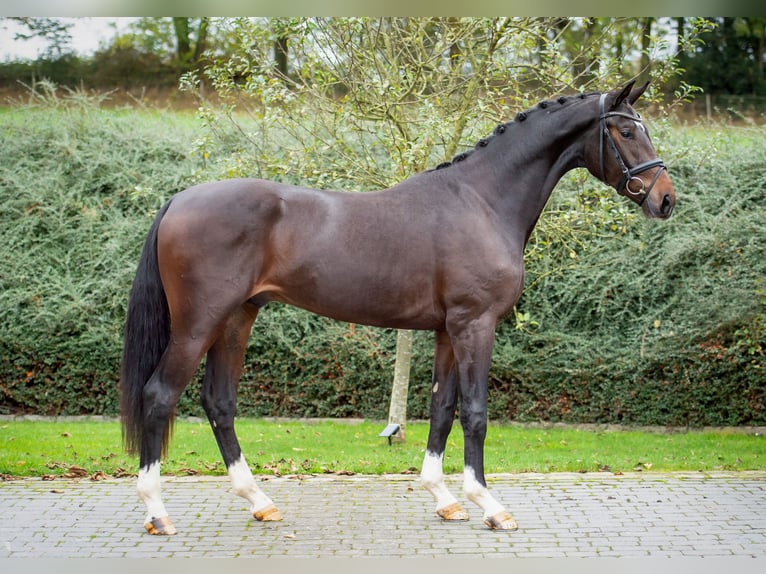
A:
[93,448]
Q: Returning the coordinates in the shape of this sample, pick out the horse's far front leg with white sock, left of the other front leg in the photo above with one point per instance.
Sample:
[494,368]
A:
[443,405]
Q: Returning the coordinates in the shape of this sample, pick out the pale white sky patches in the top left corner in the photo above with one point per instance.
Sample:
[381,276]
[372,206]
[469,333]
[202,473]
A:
[87,35]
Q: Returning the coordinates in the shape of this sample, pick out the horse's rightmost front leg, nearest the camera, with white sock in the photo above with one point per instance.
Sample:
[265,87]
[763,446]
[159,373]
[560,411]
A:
[473,351]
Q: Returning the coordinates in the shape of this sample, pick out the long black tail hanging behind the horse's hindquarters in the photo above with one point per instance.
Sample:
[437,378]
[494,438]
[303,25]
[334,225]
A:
[147,330]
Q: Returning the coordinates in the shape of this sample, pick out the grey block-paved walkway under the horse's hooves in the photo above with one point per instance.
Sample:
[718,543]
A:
[560,515]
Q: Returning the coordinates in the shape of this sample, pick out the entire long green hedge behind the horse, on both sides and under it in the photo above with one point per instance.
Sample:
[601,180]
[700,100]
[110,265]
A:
[659,323]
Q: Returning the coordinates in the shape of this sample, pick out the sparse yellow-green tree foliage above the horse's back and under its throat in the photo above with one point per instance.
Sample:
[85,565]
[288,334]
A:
[368,102]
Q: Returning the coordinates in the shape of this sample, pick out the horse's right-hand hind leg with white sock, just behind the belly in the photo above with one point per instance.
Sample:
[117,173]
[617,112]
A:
[219,390]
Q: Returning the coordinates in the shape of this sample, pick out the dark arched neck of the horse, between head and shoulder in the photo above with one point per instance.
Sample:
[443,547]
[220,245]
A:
[528,160]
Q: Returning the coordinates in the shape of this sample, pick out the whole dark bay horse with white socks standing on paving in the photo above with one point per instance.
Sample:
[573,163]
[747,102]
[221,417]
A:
[441,251]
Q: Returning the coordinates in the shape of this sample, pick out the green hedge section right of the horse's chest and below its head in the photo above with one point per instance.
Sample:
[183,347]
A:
[660,325]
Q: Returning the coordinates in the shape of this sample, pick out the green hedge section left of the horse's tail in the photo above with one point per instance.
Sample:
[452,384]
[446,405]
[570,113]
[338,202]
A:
[78,189]
